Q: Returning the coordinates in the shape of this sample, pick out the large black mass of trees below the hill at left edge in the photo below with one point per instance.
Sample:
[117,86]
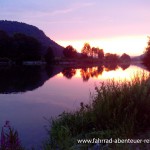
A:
[19,47]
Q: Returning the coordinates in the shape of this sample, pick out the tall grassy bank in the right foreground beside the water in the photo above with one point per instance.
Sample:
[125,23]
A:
[116,110]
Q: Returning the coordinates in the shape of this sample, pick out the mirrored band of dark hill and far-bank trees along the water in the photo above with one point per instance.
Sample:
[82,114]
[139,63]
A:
[14,79]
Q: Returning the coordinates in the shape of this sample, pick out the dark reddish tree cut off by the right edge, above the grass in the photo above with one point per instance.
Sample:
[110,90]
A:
[146,58]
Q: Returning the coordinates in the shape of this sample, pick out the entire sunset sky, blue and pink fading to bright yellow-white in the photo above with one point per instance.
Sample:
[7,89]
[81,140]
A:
[114,25]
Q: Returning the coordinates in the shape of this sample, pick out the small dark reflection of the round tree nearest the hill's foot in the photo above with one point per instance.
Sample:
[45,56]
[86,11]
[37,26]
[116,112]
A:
[69,72]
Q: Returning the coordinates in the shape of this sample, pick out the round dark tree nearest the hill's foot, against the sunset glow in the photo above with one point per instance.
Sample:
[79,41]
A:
[70,52]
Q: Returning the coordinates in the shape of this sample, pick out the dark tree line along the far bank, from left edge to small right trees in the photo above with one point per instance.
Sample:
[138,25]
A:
[20,47]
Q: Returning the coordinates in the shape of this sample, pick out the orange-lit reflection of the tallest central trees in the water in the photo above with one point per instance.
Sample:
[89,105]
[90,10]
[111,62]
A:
[86,73]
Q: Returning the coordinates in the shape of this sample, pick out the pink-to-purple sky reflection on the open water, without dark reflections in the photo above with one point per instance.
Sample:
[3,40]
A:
[26,111]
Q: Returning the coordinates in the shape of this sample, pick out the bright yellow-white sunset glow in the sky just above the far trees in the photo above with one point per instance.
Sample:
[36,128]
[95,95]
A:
[132,45]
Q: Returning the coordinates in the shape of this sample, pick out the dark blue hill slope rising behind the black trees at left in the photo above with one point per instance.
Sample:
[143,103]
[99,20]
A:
[12,27]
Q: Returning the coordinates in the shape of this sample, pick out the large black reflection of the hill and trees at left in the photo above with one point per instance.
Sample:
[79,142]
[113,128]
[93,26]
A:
[14,79]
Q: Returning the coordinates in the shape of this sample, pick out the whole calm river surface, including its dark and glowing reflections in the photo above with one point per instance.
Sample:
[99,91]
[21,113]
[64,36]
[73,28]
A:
[30,94]
